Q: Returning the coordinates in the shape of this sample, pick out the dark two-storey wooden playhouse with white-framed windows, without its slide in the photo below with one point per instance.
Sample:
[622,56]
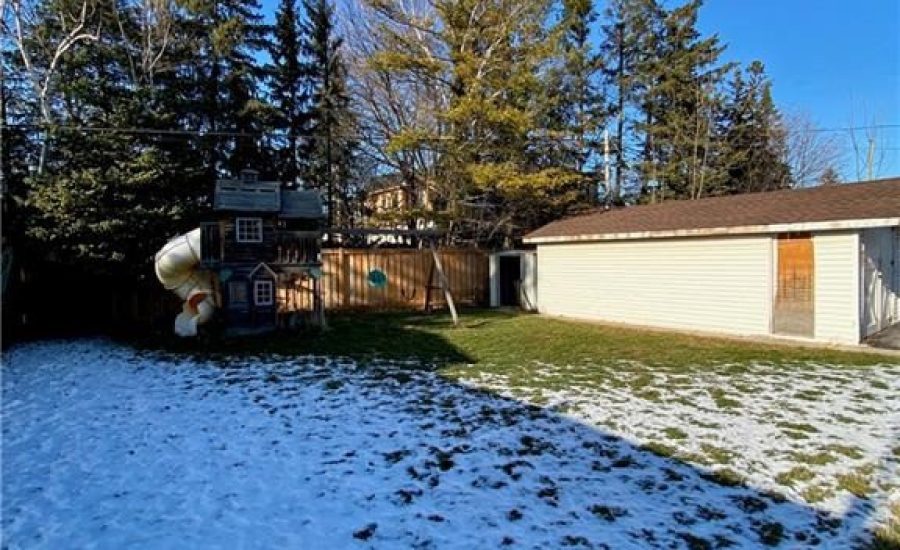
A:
[264,245]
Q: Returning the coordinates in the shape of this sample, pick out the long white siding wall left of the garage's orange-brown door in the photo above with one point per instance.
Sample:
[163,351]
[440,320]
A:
[717,284]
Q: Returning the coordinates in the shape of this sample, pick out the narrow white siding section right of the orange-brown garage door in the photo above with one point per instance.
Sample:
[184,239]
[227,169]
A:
[837,287]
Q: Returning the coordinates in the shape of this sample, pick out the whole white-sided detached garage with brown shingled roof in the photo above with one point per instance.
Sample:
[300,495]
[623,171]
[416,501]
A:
[818,263]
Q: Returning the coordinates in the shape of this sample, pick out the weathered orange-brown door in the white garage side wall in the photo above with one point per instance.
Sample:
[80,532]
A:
[794,307]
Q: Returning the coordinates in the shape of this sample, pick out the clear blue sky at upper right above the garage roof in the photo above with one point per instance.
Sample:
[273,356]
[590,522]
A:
[838,61]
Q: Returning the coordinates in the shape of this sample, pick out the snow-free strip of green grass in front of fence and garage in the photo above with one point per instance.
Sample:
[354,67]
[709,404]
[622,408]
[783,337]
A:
[502,340]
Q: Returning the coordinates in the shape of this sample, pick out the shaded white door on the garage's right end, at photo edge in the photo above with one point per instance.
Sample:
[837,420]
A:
[878,279]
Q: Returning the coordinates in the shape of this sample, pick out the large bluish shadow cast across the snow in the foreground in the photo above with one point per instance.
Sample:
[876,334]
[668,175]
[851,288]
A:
[263,450]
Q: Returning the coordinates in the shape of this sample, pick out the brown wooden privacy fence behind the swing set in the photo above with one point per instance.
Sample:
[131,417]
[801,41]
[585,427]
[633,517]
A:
[345,279]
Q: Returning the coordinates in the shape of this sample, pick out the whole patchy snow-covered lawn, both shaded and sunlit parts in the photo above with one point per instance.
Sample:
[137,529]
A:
[104,446]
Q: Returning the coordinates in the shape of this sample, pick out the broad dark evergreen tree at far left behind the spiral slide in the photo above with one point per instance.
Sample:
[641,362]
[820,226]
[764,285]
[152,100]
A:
[108,197]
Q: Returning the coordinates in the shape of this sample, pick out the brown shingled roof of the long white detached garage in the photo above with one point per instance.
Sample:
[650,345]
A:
[789,210]
